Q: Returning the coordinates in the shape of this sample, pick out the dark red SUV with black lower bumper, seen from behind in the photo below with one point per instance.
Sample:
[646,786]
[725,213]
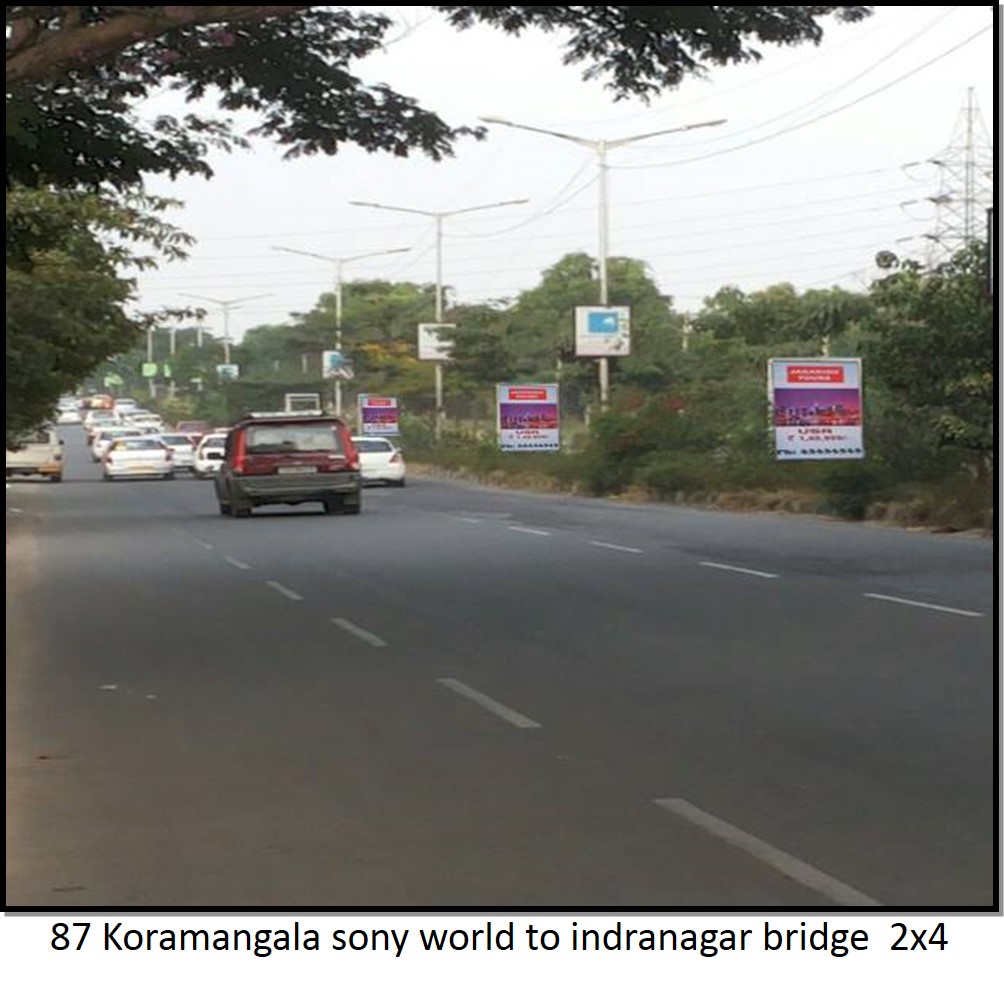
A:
[290,458]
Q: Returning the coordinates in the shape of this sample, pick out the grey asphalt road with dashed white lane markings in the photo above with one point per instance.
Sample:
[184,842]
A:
[472,698]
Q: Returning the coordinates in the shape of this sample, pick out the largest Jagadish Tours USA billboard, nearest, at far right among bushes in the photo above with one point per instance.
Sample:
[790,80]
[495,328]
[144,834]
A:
[816,408]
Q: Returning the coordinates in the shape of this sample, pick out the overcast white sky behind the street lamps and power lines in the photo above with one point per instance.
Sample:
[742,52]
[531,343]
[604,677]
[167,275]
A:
[823,162]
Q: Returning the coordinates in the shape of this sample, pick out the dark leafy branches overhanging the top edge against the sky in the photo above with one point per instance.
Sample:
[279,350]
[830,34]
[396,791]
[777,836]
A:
[76,74]
